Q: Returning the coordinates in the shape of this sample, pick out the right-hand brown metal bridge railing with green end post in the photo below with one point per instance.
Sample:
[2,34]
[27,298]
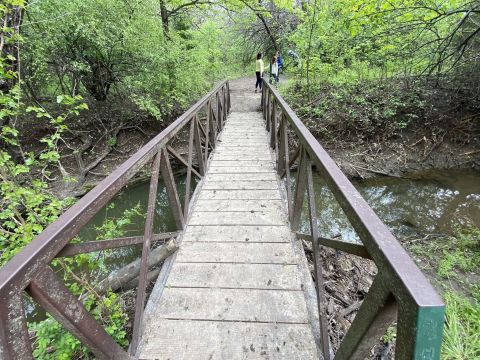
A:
[400,290]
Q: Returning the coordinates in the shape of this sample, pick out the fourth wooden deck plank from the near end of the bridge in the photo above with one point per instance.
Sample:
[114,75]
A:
[264,253]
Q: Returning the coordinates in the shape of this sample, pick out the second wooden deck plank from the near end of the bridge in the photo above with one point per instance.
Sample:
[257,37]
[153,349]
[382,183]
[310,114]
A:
[232,305]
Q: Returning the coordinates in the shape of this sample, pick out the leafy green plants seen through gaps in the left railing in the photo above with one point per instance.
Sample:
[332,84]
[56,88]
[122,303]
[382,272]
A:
[52,341]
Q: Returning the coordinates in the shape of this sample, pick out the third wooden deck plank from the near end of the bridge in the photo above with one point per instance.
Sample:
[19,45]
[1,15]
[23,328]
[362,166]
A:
[236,276]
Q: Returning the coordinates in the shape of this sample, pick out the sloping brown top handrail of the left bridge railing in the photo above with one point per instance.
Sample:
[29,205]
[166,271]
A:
[53,239]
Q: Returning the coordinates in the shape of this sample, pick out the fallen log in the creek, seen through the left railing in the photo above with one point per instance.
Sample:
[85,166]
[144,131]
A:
[125,276]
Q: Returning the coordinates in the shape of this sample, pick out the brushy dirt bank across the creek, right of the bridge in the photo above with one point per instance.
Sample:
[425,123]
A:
[391,128]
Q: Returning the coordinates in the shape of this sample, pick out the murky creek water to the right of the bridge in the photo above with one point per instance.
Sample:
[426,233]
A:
[421,203]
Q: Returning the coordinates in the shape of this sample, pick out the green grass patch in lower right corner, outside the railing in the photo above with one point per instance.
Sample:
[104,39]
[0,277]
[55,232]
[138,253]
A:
[453,263]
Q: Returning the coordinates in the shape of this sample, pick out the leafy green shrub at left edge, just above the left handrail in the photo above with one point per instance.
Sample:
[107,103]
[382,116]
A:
[27,207]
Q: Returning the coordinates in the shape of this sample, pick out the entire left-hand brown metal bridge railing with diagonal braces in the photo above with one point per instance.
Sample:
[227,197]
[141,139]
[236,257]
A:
[30,271]
